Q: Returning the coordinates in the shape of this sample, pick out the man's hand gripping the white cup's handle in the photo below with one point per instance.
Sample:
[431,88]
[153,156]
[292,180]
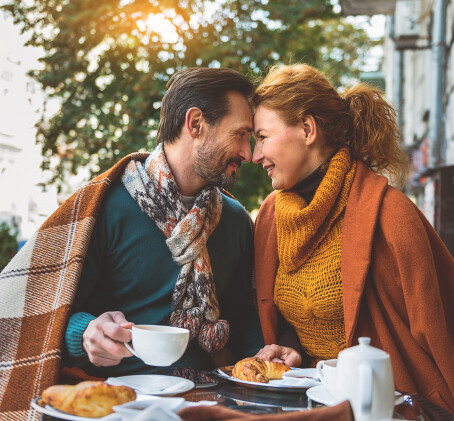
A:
[103,339]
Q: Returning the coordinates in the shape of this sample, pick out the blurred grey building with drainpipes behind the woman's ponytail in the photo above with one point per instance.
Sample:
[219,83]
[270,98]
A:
[418,70]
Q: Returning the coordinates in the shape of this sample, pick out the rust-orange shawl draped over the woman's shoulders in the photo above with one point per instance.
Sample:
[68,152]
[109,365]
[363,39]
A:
[398,285]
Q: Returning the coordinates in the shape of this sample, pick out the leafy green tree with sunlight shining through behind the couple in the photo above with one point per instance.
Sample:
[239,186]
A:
[107,61]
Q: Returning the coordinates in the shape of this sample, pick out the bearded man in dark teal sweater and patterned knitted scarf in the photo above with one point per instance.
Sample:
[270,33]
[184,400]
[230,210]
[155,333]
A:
[206,122]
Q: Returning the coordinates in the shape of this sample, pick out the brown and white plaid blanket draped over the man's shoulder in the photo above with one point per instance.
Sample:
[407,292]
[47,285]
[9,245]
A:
[36,292]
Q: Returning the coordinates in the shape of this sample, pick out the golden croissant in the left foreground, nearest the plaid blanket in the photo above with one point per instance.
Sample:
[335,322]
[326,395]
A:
[89,399]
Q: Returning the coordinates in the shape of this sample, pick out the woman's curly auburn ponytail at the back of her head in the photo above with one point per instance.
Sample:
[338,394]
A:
[375,135]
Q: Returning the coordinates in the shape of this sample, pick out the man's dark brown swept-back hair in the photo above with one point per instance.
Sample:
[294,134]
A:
[201,87]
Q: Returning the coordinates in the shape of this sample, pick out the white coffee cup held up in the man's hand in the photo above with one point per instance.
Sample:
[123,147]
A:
[158,345]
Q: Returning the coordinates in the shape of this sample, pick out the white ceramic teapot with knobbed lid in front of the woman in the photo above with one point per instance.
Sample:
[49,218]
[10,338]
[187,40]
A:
[364,376]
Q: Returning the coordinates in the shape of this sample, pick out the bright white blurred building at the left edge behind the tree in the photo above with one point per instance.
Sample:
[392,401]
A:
[24,206]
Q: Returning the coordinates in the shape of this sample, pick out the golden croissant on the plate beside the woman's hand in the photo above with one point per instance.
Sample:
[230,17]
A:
[255,369]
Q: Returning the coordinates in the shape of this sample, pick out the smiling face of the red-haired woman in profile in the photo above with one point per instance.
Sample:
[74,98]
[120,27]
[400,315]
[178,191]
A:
[282,150]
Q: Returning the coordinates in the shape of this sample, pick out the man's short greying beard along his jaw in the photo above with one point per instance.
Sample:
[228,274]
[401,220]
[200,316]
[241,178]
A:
[211,164]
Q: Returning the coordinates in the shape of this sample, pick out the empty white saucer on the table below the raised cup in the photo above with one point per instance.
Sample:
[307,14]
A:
[153,384]
